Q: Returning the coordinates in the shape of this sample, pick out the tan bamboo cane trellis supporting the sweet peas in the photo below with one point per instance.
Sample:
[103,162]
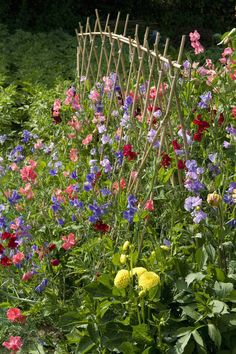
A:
[102,51]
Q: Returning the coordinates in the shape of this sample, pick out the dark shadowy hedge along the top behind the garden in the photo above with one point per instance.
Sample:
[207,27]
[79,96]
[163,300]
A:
[179,15]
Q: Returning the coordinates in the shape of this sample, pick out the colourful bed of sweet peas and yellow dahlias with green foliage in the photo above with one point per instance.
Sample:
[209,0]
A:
[117,210]
